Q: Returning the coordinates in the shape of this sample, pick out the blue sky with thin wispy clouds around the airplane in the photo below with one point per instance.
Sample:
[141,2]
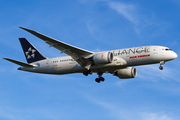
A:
[94,25]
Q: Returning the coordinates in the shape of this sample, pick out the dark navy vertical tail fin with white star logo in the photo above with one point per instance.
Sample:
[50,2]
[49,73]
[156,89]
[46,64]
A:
[31,53]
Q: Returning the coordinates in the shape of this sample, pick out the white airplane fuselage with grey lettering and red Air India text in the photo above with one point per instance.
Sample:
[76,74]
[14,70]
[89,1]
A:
[122,58]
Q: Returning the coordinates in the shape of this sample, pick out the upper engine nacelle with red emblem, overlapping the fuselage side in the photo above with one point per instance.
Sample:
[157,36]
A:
[103,58]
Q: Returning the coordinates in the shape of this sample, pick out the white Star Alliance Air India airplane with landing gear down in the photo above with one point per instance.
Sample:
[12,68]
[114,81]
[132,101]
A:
[119,62]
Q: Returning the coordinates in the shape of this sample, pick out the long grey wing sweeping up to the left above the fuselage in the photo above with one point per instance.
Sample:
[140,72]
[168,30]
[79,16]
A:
[77,54]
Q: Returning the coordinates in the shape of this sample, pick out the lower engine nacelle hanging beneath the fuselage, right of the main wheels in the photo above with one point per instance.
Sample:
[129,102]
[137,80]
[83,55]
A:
[129,72]
